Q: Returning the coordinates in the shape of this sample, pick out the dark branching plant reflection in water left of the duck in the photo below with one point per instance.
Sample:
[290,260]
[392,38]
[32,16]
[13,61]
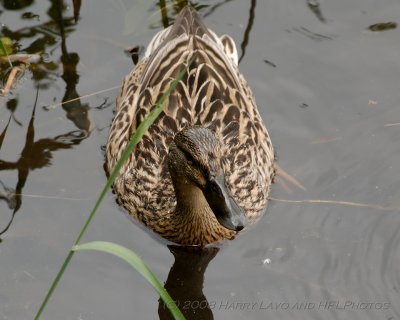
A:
[38,154]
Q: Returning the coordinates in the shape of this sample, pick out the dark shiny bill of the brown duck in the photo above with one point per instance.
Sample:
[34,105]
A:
[225,208]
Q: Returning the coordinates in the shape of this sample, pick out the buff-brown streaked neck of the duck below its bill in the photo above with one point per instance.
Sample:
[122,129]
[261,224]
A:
[194,221]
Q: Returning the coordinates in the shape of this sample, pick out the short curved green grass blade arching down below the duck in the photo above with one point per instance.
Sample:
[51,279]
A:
[137,263]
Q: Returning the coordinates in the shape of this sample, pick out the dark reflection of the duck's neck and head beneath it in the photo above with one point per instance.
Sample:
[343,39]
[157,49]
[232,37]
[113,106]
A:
[185,282]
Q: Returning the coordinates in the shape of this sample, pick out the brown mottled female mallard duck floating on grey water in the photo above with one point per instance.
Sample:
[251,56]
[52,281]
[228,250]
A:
[203,169]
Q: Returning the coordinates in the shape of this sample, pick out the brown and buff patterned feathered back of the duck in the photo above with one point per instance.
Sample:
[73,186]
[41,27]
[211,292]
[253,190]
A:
[214,94]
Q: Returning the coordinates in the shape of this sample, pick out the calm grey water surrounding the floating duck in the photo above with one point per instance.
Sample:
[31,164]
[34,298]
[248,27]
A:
[327,88]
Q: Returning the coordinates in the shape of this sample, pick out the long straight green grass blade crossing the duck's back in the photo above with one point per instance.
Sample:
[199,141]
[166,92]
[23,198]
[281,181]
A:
[125,155]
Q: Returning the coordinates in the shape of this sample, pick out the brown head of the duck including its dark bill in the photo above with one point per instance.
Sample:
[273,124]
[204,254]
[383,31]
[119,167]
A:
[194,160]
